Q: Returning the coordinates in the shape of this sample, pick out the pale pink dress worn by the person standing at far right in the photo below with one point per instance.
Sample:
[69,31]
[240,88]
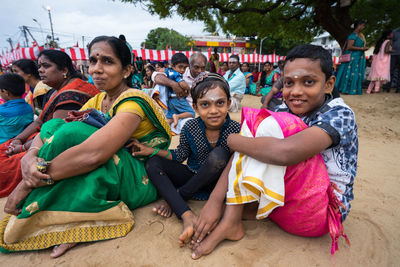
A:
[380,67]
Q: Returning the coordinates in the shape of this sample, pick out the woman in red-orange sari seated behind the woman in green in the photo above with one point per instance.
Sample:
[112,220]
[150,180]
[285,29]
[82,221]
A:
[68,93]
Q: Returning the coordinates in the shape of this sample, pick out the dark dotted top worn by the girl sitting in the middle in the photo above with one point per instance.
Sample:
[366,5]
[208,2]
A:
[194,145]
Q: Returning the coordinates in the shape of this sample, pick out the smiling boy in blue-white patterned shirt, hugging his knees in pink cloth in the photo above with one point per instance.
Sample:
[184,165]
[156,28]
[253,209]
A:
[295,166]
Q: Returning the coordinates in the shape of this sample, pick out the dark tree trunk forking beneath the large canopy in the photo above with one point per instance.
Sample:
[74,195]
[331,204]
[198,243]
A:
[335,20]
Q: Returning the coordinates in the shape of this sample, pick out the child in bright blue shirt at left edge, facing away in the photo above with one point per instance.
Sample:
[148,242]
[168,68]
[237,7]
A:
[15,114]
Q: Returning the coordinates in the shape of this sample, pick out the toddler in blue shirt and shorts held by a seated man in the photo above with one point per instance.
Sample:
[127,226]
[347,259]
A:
[177,108]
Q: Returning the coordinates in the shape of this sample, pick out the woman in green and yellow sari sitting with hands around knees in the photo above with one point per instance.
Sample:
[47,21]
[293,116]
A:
[92,183]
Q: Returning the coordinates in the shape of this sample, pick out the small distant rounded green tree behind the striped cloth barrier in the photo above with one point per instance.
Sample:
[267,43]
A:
[159,38]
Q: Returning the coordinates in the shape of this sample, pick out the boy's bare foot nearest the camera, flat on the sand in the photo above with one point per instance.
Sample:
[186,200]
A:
[226,229]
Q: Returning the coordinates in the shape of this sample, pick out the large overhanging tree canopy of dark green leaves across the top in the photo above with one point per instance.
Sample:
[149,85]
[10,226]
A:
[296,20]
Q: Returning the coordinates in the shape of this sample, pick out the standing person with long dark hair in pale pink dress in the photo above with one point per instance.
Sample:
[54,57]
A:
[380,67]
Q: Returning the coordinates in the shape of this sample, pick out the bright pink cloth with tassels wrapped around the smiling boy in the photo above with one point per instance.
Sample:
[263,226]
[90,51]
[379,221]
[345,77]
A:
[311,208]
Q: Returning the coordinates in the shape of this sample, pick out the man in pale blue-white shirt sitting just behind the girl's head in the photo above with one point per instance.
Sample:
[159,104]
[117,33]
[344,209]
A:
[236,81]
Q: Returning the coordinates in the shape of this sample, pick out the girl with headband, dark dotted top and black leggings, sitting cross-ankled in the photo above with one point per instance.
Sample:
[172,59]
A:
[202,143]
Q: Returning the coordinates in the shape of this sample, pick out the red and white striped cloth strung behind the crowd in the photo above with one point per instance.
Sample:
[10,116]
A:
[77,53]
